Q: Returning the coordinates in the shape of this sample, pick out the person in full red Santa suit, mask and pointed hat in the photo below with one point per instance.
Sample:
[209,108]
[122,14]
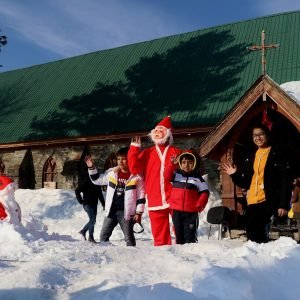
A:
[154,163]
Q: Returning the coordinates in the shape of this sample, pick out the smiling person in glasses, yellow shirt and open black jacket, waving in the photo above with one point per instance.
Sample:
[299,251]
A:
[267,177]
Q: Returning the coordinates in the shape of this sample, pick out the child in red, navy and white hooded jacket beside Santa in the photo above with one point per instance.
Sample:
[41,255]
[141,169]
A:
[189,196]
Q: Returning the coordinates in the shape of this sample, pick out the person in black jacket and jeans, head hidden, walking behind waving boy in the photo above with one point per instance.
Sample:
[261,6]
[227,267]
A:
[88,195]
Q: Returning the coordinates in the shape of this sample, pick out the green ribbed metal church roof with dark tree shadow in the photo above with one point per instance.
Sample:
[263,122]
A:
[196,77]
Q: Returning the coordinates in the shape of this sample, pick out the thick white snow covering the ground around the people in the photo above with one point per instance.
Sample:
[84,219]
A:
[45,258]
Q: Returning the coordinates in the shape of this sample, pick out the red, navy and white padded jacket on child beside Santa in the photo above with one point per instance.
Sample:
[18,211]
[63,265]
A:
[189,192]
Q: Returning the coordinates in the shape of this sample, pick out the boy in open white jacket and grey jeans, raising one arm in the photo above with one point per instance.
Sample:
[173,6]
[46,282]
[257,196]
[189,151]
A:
[125,197]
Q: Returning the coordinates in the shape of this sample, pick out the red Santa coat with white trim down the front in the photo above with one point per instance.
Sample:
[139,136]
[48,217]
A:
[153,162]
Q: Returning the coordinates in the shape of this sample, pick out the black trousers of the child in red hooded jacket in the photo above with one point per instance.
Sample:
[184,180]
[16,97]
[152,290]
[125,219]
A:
[185,226]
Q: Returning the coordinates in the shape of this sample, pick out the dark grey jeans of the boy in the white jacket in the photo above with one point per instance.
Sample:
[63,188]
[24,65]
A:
[112,221]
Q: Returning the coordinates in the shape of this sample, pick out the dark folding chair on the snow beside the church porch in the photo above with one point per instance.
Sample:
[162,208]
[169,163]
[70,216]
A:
[218,215]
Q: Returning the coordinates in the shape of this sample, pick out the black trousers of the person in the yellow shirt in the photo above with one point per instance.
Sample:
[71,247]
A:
[258,220]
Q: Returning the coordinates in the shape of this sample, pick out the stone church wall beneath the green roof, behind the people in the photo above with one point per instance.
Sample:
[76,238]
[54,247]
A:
[67,160]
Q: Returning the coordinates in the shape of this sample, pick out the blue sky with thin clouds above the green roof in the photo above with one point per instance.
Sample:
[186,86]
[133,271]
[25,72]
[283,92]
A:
[40,31]
